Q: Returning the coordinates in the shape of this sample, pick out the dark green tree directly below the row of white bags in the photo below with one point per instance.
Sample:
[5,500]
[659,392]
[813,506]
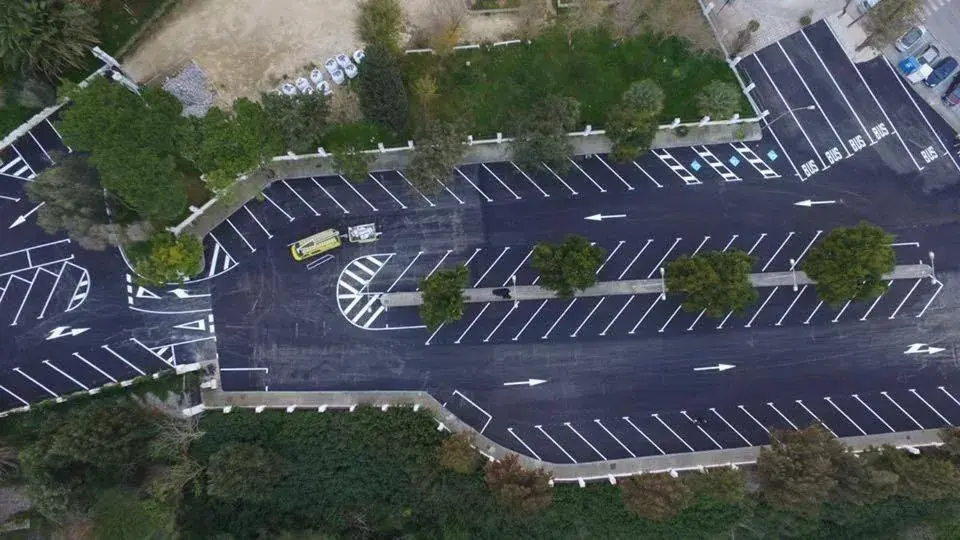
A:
[301,120]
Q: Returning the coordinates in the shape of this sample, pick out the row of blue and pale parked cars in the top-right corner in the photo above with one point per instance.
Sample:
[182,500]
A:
[927,66]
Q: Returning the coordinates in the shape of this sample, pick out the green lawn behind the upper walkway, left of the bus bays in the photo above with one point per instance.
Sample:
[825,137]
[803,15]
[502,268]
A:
[488,88]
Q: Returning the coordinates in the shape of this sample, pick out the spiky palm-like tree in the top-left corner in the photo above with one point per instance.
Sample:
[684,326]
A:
[45,37]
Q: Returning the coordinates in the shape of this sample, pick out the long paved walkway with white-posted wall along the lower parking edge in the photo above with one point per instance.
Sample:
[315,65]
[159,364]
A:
[562,472]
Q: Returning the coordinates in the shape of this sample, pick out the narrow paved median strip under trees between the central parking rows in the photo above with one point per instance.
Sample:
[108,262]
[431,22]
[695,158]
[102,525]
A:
[634,286]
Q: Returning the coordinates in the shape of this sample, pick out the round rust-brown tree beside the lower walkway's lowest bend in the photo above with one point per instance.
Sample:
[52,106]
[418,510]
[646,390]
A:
[520,490]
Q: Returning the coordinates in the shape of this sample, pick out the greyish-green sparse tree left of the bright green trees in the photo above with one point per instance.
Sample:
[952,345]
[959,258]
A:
[73,202]
